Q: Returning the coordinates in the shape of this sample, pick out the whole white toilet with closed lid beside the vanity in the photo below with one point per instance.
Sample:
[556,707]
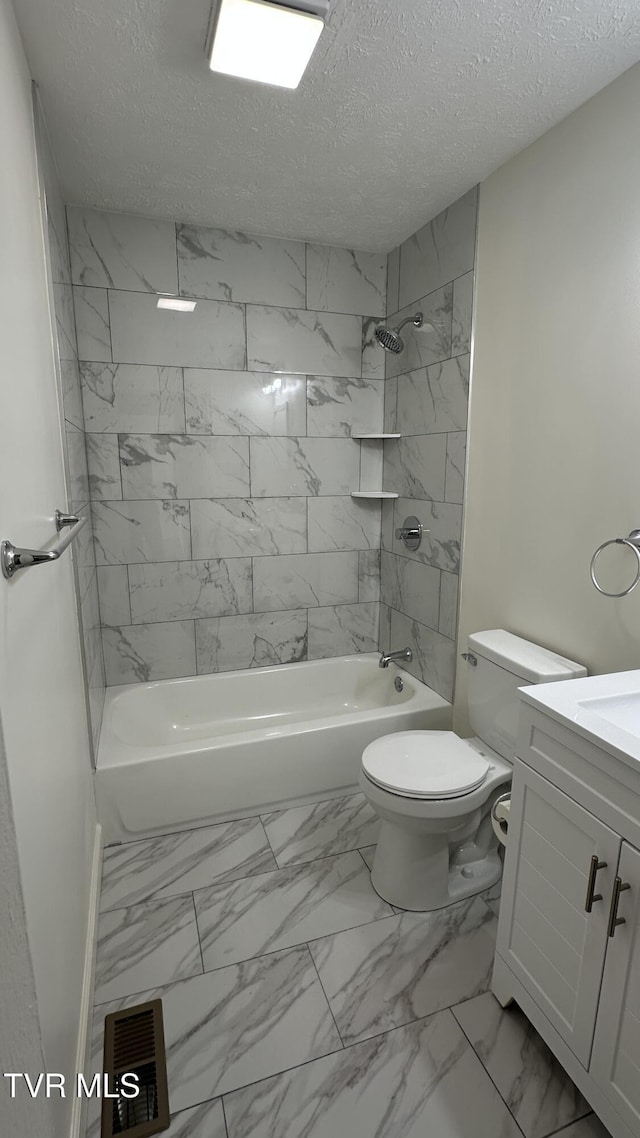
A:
[434,791]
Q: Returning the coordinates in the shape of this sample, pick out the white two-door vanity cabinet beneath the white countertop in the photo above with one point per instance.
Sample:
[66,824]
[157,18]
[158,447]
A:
[569,942]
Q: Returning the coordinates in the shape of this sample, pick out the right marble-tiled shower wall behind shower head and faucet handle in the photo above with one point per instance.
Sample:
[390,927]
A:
[426,400]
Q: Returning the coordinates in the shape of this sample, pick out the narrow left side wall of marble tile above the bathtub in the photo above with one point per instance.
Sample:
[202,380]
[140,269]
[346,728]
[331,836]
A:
[76,452]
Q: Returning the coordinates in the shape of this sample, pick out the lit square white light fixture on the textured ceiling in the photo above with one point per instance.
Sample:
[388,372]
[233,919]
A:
[265,42]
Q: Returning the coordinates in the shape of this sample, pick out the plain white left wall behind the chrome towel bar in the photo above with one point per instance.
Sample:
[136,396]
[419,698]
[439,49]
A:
[42,702]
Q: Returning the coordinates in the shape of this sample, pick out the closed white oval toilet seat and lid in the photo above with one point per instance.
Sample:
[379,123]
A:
[425,764]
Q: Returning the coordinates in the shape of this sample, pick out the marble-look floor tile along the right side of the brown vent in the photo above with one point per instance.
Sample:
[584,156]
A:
[237,1026]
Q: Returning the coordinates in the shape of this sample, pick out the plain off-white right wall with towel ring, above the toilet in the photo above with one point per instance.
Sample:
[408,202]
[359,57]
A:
[554,464]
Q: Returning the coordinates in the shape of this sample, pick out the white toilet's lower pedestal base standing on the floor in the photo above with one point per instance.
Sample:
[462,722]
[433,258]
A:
[416,871]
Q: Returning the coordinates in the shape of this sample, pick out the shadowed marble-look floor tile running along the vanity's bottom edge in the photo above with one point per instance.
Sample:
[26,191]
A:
[537,1090]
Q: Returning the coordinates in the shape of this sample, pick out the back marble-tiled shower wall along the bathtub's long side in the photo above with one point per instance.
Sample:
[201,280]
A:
[219,444]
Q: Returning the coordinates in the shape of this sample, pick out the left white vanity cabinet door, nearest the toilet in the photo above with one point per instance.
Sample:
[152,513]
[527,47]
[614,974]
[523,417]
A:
[546,936]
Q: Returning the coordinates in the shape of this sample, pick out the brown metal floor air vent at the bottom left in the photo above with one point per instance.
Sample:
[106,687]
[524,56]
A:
[135,1044]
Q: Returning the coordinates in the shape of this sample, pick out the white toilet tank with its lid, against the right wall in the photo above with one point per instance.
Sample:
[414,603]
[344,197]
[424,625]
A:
[506,663]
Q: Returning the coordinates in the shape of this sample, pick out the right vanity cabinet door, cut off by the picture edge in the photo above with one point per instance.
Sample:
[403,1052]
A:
[617,1048]
